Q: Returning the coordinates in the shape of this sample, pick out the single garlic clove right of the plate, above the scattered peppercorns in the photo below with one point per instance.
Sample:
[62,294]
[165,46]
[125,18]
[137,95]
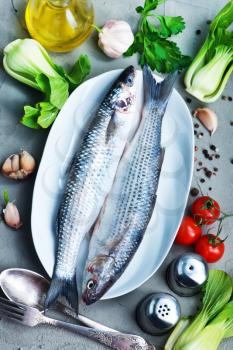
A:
[208,118]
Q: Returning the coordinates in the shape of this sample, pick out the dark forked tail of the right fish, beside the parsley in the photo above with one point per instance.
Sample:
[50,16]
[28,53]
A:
[157,92]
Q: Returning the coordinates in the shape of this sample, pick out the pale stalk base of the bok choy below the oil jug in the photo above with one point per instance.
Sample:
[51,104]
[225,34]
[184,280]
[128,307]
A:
[24,59]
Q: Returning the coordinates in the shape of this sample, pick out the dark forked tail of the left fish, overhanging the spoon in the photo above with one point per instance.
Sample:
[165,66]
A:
[63,287]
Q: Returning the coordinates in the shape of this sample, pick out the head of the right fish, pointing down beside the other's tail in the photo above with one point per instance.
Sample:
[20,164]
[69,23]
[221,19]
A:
[98,278]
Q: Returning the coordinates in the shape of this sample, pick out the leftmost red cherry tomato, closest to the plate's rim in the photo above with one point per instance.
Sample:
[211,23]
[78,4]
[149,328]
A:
[189,231]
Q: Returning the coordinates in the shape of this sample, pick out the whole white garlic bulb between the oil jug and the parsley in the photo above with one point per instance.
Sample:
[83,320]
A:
[115,38]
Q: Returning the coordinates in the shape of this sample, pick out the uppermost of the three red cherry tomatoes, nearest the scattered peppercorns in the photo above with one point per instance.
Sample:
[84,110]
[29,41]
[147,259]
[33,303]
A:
[205,210]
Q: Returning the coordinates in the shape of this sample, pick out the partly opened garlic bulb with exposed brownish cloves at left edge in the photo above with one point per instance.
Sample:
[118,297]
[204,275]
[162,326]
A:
[19,166]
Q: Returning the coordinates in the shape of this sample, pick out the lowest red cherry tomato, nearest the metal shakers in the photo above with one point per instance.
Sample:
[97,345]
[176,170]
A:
[210,247]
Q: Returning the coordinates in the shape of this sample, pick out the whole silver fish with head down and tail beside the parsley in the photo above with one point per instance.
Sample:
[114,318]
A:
[129,206]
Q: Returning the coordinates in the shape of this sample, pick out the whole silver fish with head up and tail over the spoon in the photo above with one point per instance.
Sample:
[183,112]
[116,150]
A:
[90,178]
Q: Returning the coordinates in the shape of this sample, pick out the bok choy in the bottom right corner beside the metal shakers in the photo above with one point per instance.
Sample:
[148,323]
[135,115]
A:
[188,333]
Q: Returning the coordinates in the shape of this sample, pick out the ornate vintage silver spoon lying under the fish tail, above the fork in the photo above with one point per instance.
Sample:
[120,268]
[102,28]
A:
[30,288]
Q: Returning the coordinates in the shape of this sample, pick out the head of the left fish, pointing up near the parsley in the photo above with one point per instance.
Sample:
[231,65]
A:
[122,97]
